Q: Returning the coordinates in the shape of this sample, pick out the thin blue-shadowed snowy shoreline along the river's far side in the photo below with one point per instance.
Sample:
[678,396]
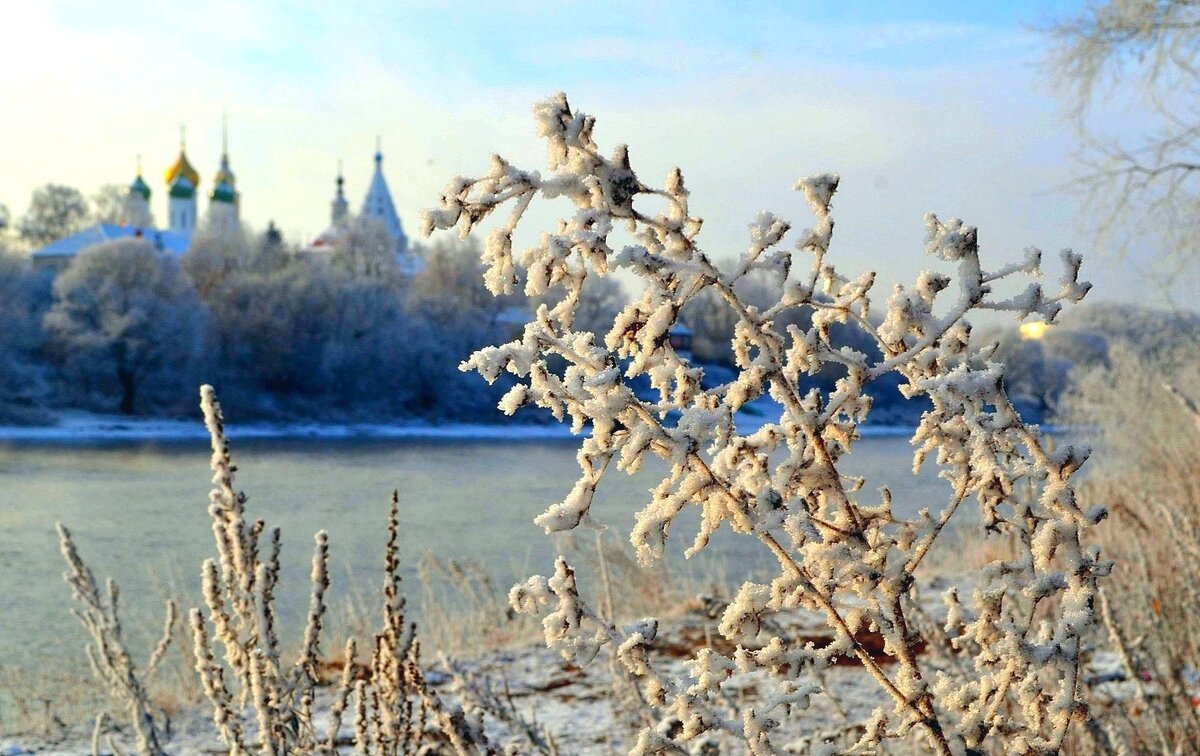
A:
[88,429]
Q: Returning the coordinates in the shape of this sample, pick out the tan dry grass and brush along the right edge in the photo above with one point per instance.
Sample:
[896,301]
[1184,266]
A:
[1143,409]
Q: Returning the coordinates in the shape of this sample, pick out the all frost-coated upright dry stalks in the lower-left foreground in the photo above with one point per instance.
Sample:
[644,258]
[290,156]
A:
[265,699]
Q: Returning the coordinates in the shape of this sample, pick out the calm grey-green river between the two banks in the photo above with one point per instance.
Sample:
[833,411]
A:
[139,513]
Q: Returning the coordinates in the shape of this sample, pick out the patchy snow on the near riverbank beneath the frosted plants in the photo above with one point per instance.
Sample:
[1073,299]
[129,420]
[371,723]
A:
[578,705]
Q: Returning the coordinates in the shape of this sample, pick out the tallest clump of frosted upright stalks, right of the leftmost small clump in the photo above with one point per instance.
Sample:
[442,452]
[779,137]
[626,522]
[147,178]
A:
[239,596]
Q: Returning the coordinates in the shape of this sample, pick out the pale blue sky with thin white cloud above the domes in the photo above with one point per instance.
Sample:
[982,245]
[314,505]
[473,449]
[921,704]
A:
[921,106]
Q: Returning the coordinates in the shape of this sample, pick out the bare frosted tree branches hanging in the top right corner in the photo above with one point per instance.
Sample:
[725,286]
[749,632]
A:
[1144,53]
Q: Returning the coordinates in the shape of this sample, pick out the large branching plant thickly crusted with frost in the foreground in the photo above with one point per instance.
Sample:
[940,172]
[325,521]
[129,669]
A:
[842,553]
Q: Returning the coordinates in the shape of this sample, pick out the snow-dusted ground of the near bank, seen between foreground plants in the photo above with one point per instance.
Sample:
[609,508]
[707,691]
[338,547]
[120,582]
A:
[577,706]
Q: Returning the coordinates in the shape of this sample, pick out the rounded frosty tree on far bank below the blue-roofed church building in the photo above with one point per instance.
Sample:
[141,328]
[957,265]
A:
[125,313]
